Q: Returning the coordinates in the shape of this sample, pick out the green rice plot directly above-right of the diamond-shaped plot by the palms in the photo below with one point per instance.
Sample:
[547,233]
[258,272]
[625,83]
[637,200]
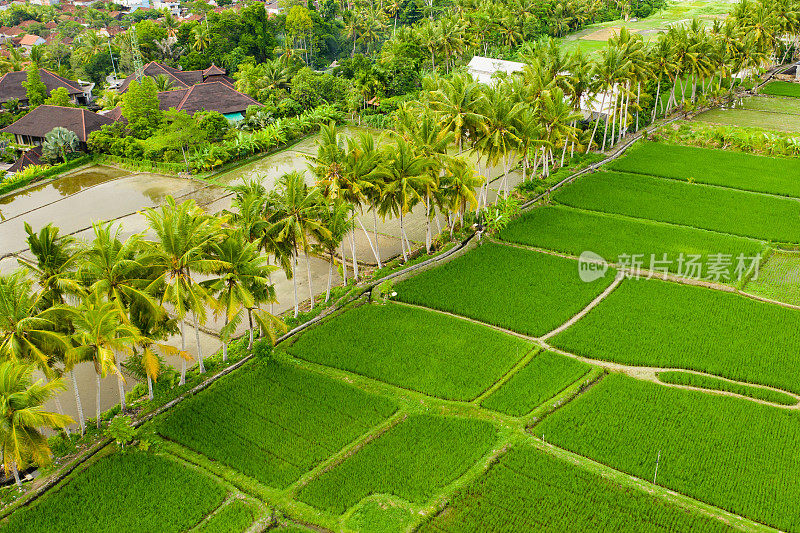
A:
[413,348]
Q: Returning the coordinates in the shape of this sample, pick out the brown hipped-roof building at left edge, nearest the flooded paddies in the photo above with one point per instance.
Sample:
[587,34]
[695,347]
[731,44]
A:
[32,128]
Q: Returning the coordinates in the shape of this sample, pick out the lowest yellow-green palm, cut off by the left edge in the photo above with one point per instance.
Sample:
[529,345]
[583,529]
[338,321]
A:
[21,417]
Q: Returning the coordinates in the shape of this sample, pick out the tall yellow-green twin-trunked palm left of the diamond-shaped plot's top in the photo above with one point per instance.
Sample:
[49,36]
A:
[183,234]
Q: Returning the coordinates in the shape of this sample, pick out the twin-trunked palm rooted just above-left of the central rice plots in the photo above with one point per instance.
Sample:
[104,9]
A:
[295,218]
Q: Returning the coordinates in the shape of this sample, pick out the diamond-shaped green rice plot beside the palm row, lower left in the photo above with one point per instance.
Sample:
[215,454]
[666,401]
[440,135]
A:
[272,421]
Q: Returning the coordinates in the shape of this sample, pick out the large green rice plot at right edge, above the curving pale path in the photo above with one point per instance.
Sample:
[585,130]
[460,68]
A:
[669,325]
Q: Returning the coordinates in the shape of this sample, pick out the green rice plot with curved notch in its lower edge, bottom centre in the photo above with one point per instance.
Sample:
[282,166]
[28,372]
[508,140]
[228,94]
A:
[411,461]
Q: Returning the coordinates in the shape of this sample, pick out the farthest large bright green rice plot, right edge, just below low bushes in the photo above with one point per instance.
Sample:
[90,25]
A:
[715,167]
